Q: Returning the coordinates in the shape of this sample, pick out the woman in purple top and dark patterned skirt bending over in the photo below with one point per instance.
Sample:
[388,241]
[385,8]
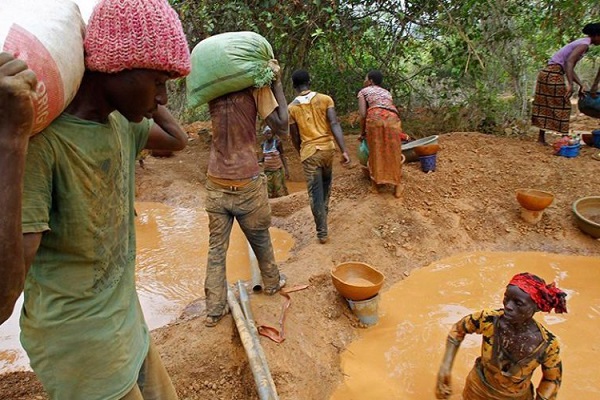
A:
[551,105]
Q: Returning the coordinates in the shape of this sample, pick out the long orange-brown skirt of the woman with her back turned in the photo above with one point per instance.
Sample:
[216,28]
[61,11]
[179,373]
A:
[384,131]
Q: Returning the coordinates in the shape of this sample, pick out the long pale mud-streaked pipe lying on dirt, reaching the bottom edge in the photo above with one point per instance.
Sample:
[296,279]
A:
[258,371]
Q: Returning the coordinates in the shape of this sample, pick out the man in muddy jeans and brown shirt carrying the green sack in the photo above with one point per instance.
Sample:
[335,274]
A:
[236,188]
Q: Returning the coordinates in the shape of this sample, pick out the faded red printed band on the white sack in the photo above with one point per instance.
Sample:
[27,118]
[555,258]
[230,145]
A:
[50,100]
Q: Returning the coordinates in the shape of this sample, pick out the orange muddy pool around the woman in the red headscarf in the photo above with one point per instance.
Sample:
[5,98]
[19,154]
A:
[399,357]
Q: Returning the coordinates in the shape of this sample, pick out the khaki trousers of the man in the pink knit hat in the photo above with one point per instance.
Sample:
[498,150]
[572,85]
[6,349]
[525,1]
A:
[153,381]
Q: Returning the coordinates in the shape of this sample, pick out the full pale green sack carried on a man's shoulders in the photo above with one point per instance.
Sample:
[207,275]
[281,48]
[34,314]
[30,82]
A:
[227,63]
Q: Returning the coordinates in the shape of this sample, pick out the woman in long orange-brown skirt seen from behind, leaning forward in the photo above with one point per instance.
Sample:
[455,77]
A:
[381,125]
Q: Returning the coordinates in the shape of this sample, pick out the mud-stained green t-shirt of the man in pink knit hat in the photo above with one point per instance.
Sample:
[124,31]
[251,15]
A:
[81,323]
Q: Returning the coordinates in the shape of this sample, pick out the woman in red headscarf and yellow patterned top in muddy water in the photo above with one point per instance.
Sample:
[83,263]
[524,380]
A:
[514,345]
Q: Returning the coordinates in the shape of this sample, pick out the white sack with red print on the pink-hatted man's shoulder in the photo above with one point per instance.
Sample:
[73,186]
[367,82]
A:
[48,36]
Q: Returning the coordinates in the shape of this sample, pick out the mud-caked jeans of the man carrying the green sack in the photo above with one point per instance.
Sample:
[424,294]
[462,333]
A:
[250,206]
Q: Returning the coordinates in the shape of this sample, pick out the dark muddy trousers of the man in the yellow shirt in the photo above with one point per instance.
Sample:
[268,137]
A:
[318,174]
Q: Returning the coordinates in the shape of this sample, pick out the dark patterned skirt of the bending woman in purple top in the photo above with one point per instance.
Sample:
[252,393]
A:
[550,110]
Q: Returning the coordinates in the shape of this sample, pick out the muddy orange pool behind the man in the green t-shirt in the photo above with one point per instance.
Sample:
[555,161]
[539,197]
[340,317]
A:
[172,248]
